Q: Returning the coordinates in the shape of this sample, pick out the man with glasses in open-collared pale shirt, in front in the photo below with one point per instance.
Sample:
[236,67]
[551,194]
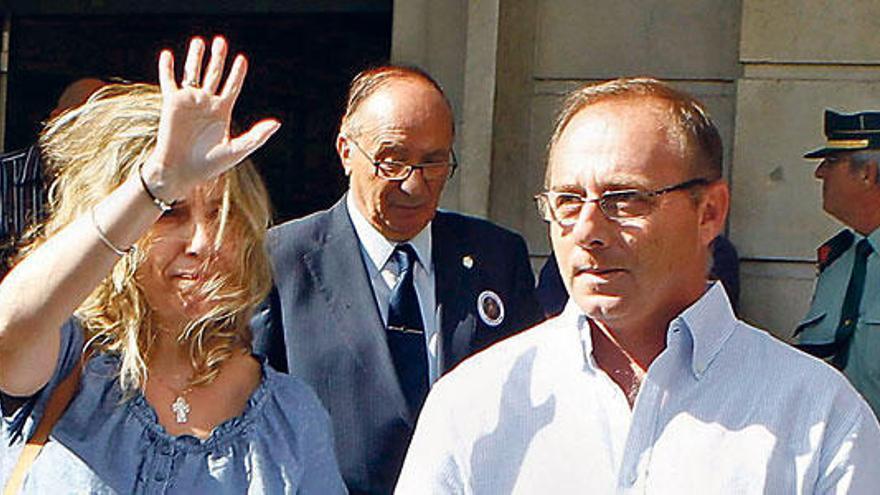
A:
[647,382]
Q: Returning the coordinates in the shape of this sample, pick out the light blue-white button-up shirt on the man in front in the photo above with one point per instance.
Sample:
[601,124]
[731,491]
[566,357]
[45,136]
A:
[725,408]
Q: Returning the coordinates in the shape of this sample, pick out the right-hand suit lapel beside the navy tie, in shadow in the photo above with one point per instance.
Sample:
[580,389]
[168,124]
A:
[453,293]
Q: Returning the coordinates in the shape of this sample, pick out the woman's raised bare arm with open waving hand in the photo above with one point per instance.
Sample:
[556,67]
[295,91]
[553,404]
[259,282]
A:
[193,145]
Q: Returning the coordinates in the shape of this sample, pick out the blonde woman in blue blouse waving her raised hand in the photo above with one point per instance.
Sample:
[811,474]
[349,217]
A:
[149,265]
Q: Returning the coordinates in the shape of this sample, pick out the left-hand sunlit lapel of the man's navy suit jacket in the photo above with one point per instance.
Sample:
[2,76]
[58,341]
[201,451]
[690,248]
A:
[337,266]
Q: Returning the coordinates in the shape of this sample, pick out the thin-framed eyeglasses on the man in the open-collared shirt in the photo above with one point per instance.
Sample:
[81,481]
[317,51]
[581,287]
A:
[565,208]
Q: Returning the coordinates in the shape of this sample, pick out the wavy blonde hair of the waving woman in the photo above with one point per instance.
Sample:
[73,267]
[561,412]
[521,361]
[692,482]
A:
[89,151]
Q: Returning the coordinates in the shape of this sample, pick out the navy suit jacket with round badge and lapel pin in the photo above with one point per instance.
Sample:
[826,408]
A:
[321,324]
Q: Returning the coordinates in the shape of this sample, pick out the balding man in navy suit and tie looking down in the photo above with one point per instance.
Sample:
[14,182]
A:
[381,294]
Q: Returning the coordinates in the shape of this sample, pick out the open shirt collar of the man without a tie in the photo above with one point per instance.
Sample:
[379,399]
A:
[710,321]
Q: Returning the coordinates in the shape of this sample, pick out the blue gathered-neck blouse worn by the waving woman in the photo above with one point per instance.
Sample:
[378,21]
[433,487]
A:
[281,443]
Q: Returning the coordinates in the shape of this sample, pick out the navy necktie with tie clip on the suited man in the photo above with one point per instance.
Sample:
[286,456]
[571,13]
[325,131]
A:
[406,331]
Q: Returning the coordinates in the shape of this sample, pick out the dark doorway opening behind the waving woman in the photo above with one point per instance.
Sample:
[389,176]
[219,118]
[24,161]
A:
[301,60]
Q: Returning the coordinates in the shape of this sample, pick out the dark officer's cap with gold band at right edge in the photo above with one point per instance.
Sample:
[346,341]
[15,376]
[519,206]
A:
[849,132]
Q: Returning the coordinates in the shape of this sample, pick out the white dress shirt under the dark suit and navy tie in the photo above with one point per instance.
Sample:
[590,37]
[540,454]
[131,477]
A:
[376,251]
